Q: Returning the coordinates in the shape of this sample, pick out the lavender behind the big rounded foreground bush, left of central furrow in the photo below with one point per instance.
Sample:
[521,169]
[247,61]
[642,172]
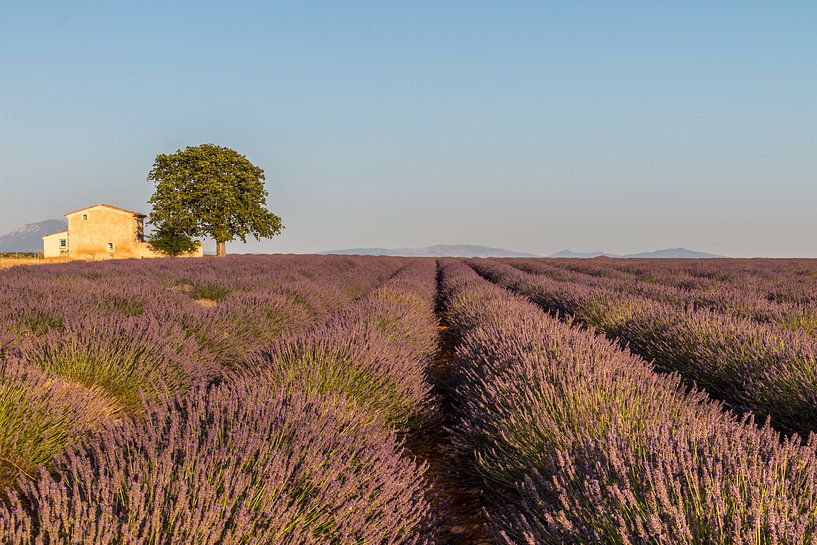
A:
[375,353]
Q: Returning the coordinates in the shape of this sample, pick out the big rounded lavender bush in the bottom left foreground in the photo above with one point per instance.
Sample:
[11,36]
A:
[234,464]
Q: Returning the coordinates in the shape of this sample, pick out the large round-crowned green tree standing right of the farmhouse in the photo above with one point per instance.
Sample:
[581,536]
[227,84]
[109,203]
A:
[213,191]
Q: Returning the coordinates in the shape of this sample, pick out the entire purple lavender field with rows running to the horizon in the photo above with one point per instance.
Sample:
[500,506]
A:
[383,400]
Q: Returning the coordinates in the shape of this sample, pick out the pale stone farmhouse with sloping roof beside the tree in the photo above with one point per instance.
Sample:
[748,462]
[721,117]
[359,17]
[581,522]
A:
[102,231]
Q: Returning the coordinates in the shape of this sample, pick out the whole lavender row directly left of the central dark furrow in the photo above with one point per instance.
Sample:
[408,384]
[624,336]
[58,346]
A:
[296,446]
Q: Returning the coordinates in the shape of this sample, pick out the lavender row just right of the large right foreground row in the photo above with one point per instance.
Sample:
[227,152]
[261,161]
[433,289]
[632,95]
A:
[758,368]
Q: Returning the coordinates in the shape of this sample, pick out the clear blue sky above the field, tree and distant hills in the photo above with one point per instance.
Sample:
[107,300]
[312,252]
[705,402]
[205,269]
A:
[537,126]
